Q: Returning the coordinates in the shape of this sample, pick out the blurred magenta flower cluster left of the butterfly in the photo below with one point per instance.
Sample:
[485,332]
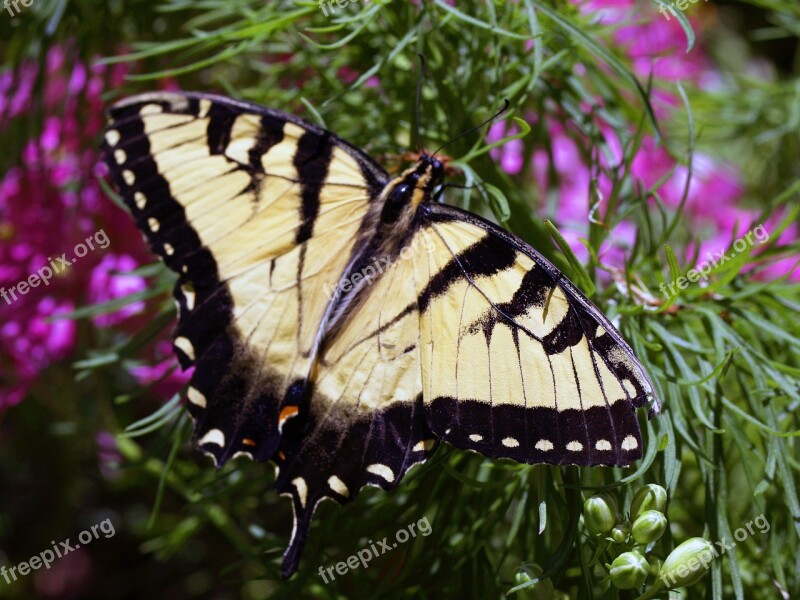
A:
[49,206]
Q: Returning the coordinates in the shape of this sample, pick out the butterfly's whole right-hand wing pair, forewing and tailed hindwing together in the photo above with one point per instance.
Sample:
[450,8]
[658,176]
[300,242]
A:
[467,336]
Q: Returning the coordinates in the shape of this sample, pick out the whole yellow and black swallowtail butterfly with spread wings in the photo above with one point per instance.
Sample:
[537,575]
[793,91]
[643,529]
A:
[342,323]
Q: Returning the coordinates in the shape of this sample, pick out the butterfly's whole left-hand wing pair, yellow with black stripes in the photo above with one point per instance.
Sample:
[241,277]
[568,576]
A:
[257,212]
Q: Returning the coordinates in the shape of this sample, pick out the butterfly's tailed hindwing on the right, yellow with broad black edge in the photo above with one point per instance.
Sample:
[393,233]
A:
[365,423]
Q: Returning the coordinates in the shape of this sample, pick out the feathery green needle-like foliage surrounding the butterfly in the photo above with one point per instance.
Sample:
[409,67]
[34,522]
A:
[725,358]
